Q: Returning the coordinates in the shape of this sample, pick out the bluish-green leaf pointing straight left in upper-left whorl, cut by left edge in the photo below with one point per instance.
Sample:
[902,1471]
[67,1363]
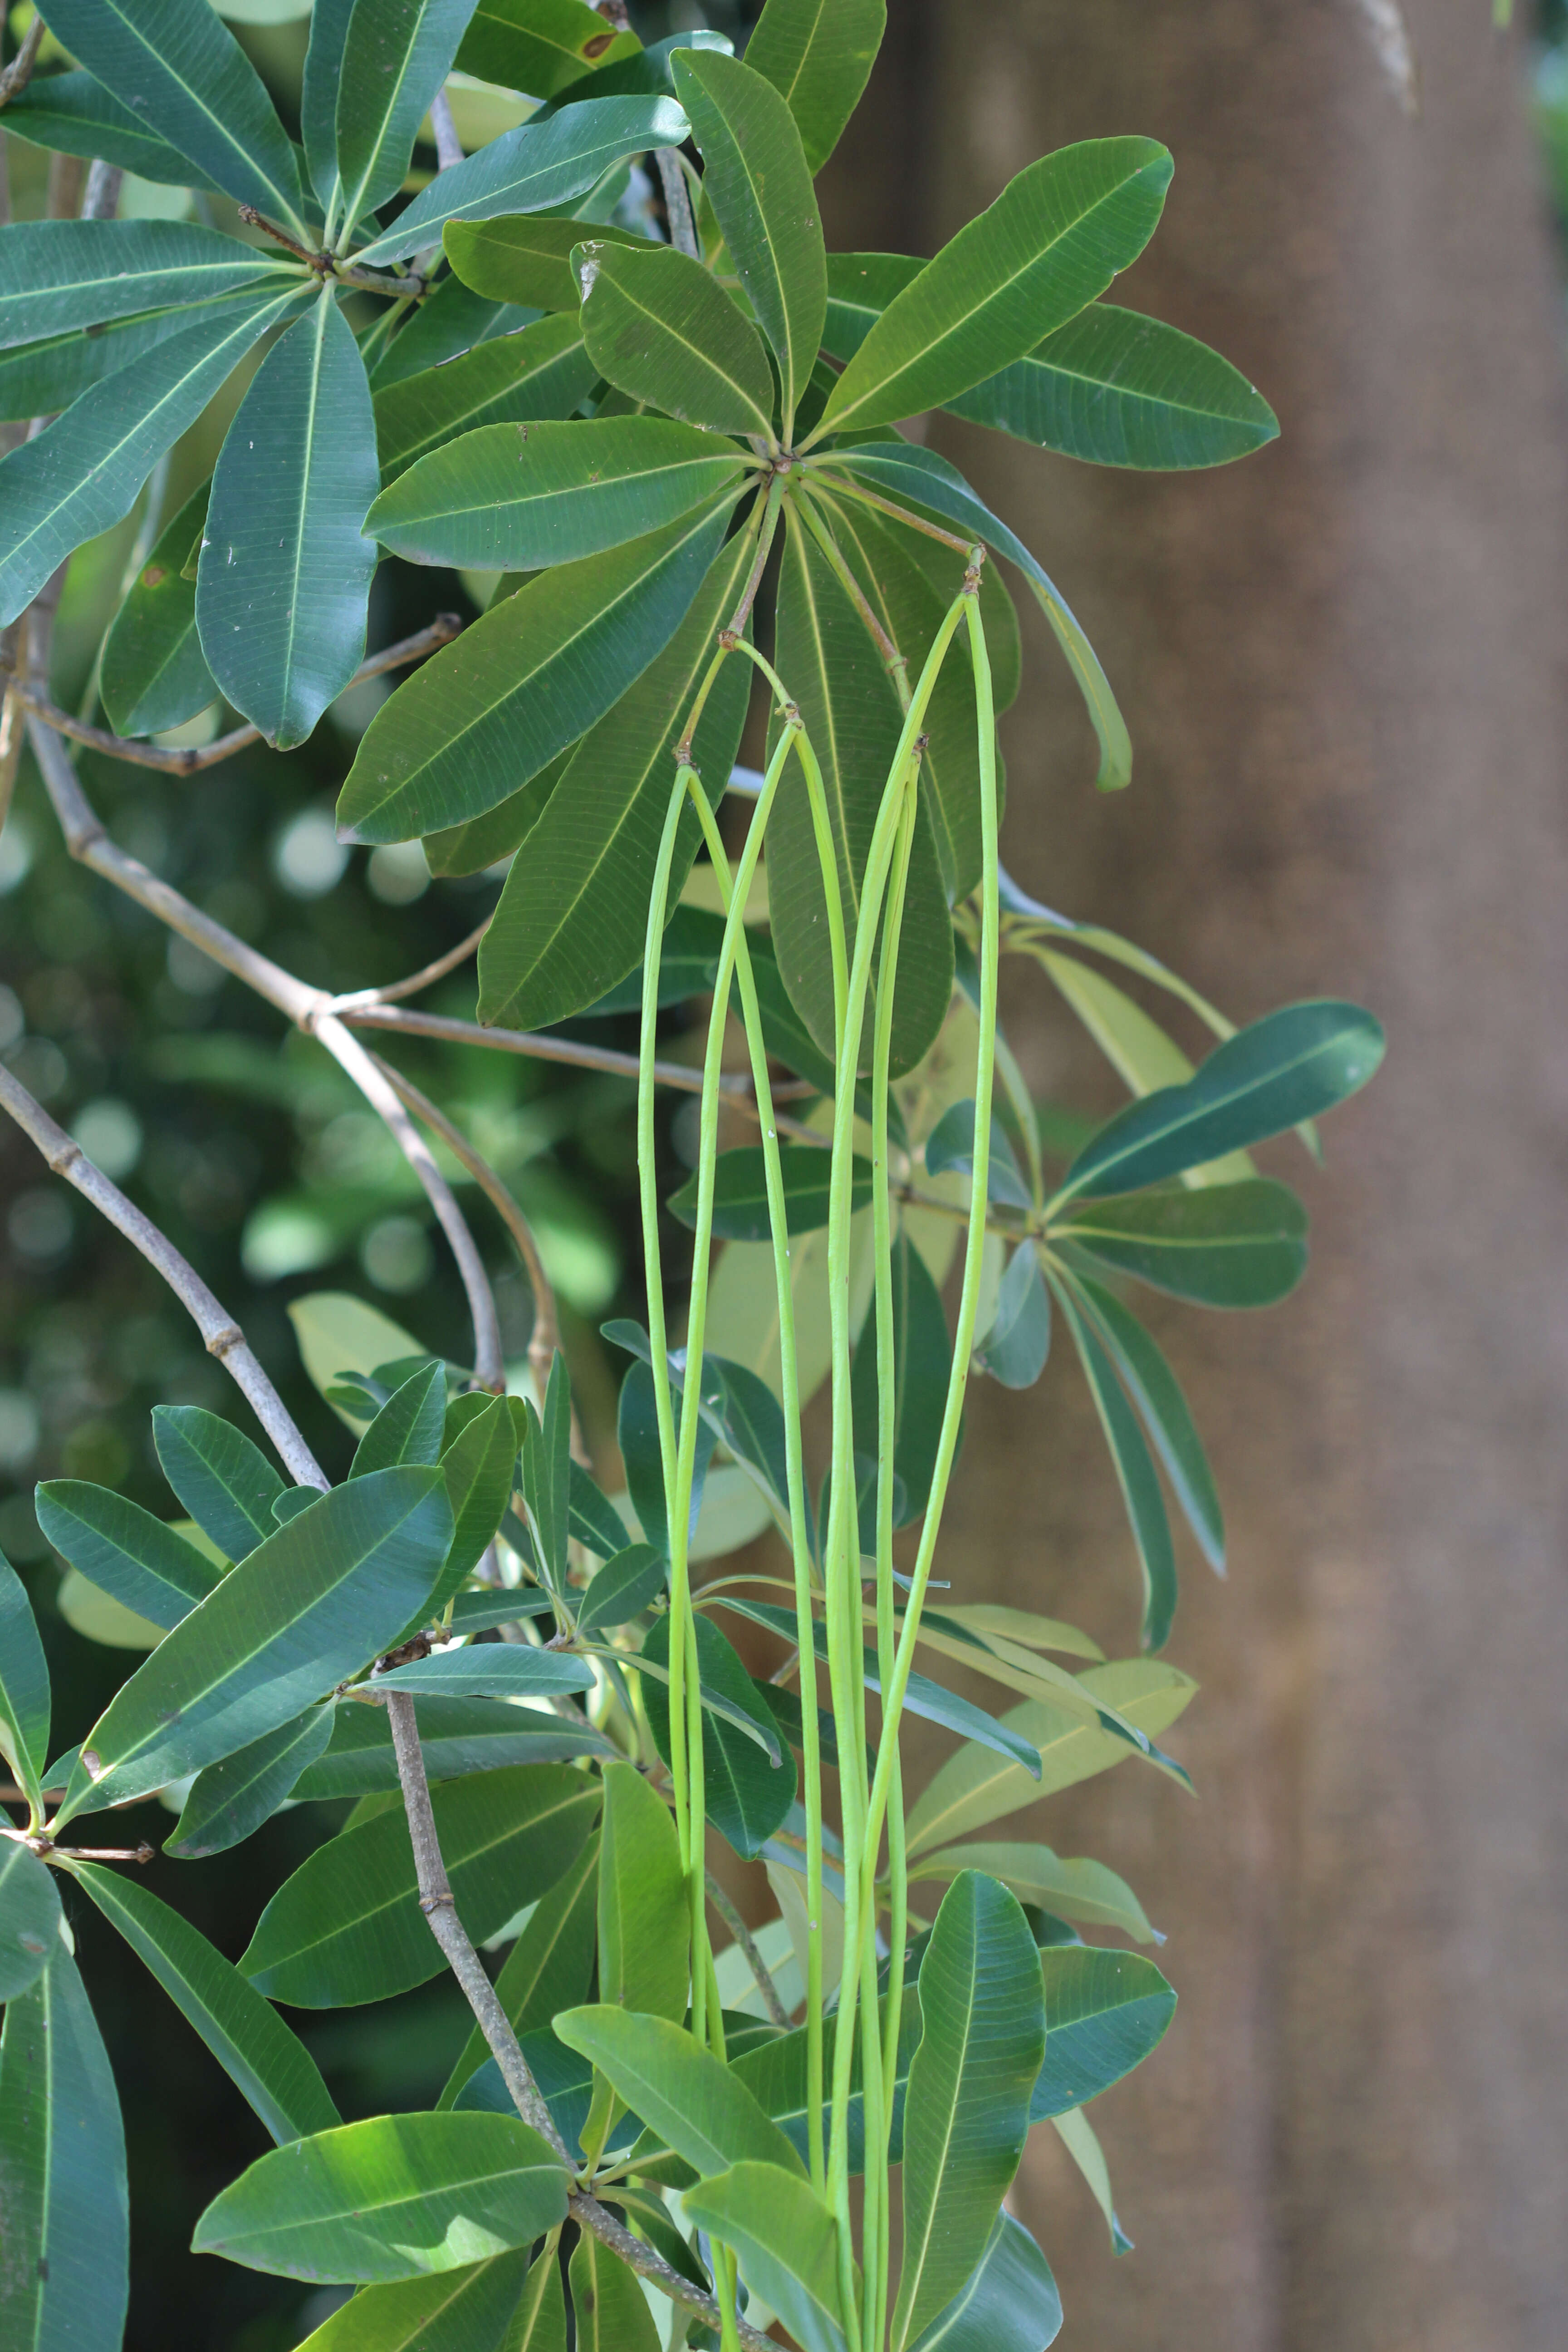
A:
[79,274]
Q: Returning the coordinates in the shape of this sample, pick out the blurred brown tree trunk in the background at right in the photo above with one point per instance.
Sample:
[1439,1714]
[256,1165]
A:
[1343,669]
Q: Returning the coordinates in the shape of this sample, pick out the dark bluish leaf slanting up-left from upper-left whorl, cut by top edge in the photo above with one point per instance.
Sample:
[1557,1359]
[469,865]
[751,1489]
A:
[194,83]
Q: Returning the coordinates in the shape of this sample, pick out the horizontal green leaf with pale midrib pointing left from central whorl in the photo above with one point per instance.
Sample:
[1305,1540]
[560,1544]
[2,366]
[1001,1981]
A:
[525,497]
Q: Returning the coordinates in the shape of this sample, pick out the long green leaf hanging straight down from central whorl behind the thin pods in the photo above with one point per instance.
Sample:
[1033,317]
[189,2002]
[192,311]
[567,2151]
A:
[852,716]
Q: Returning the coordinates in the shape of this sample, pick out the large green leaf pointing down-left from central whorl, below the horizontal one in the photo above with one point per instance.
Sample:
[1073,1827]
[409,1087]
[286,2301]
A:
[514,690]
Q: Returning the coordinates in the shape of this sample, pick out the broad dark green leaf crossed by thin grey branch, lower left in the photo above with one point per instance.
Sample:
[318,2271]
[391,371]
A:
[347,1927]
